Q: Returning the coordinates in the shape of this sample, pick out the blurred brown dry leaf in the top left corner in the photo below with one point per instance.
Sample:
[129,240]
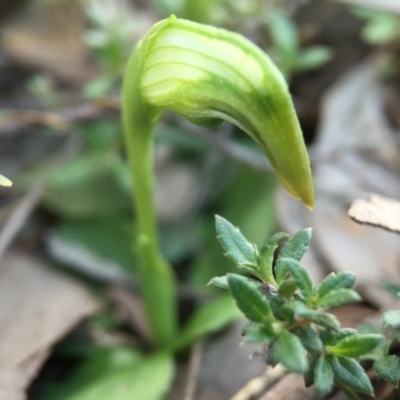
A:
[49,37]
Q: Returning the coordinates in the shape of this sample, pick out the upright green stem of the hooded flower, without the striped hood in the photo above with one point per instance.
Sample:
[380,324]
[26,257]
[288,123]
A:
[157,279]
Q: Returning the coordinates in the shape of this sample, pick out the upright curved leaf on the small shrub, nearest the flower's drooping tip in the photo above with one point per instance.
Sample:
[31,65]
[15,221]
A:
[294,248]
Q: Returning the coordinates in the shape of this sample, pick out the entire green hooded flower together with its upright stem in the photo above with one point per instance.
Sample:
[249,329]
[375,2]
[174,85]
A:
[207,75]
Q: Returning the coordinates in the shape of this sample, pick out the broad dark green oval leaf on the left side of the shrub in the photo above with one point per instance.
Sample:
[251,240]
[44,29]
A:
[249,298]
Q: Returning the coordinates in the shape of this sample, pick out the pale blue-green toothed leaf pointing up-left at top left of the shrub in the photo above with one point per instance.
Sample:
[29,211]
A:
[234,243]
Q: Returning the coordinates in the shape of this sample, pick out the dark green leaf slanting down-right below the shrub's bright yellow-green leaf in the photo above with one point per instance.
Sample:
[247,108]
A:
[350,373]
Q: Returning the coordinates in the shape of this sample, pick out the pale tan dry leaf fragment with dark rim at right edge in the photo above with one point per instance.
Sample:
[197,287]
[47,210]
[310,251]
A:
[377,211]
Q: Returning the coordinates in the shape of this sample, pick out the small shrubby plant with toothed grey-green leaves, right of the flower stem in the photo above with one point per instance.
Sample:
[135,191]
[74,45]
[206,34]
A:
[288,313]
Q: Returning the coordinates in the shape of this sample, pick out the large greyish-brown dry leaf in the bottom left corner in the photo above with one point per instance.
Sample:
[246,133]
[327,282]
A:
[37,307]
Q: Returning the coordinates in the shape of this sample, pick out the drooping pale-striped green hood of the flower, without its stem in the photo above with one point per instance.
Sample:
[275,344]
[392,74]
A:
[208,75]
